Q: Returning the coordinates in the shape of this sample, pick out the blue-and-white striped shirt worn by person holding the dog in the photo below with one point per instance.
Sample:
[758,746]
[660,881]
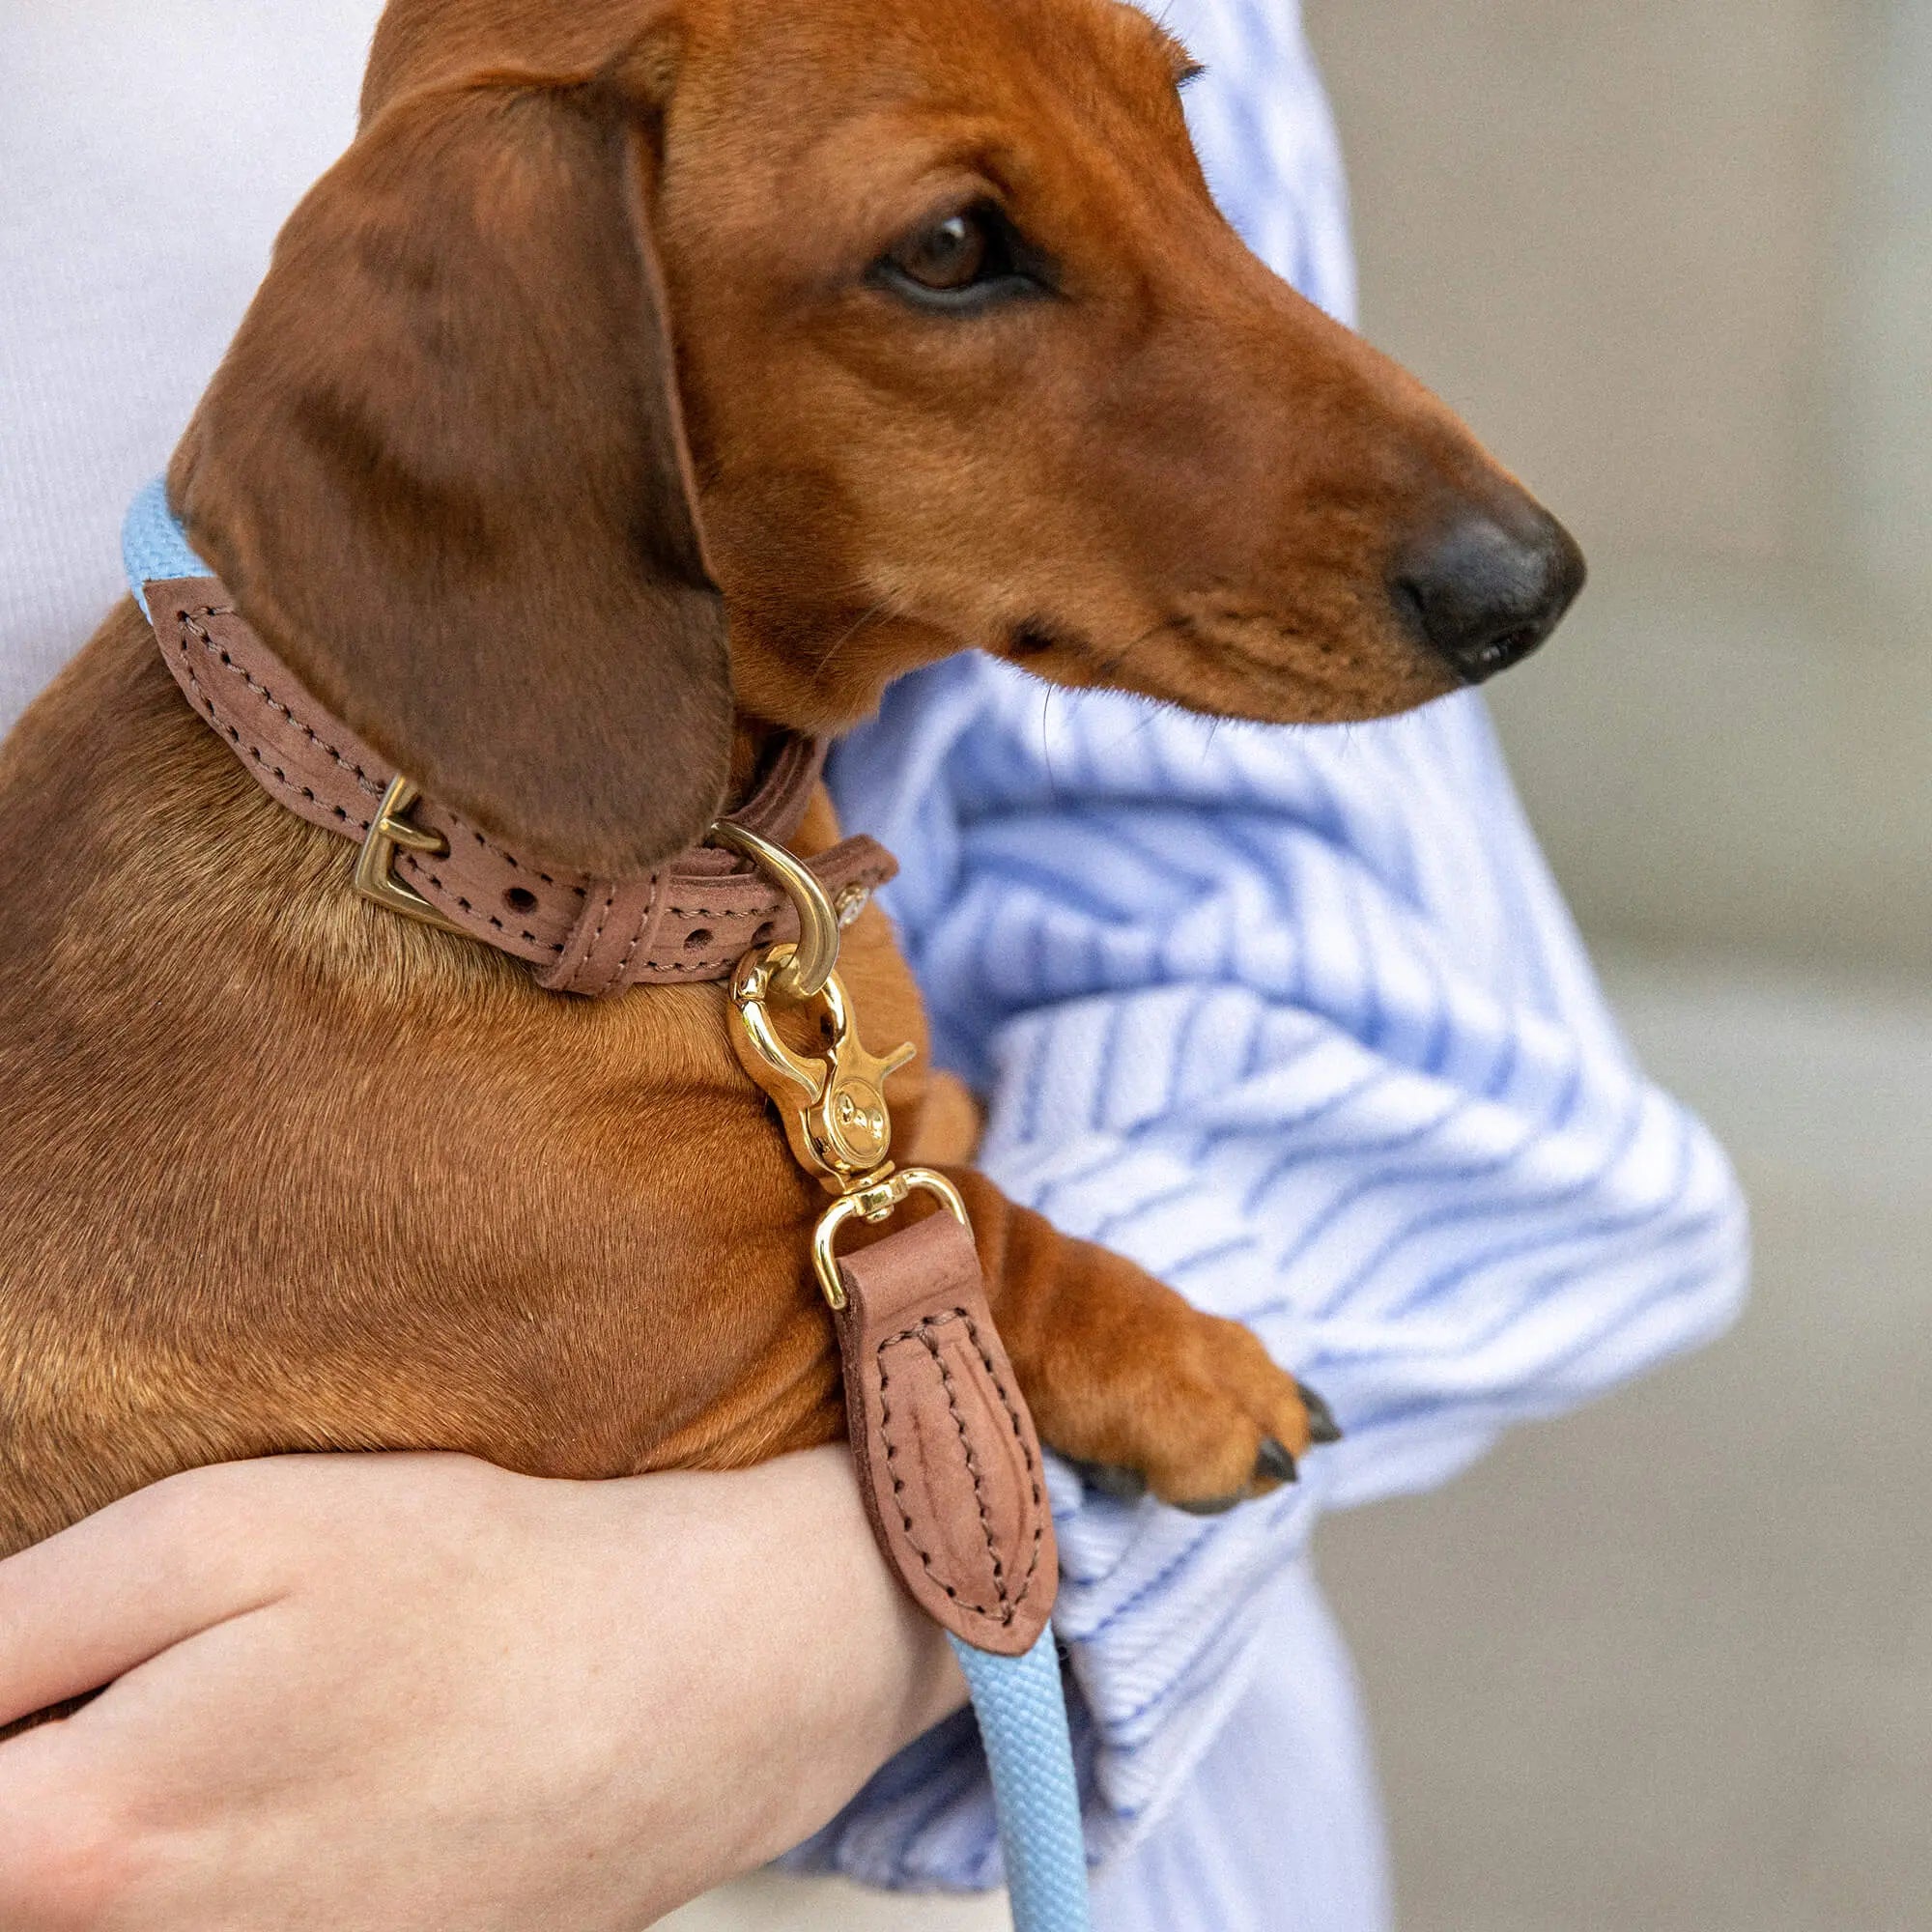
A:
[1295,1019]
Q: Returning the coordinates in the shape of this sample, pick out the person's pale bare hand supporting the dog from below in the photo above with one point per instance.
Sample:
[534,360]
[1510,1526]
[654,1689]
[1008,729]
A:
[414,1693]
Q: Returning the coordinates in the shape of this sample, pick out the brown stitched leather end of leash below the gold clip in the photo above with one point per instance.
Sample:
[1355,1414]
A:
[948,1458]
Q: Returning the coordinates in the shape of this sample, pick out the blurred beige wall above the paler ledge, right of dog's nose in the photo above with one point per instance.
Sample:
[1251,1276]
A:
[1674,260]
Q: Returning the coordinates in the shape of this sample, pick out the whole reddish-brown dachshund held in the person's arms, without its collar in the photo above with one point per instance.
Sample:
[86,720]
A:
[855,333]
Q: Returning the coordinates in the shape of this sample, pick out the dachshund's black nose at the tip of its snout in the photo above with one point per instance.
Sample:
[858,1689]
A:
[1491,588]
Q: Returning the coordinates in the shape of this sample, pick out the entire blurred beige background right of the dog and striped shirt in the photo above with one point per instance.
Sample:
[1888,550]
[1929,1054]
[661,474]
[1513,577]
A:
[1668,1666]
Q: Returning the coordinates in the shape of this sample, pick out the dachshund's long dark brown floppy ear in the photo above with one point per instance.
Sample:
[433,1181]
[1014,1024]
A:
[443,472]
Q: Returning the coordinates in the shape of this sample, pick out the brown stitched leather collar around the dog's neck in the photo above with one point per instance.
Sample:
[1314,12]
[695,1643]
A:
[691,921]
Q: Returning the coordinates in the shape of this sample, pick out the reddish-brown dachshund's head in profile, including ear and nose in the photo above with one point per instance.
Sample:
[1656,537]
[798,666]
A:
[853,331]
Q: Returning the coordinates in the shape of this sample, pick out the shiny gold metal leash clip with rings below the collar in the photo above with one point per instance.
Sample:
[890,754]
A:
[832,1096]
